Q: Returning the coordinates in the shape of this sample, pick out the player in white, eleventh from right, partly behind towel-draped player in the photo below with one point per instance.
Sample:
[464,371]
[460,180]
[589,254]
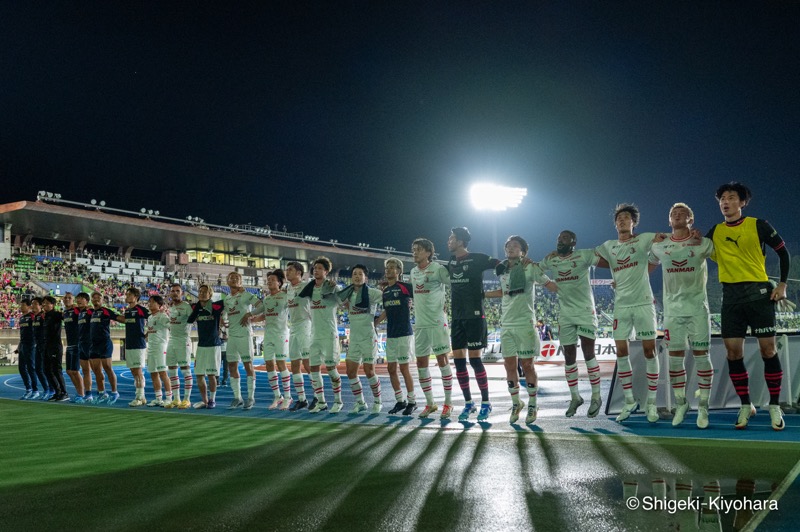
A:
[299,331]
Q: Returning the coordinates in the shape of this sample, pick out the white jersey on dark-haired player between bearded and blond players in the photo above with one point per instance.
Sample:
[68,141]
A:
[628,261]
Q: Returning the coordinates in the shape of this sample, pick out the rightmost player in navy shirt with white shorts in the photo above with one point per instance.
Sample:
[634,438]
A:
[397,299]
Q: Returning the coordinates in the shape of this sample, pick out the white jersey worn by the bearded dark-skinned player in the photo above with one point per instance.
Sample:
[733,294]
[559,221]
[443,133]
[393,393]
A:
[571,274]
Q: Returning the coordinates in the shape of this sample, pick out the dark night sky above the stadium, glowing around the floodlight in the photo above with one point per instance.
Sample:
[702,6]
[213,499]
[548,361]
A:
[367,121]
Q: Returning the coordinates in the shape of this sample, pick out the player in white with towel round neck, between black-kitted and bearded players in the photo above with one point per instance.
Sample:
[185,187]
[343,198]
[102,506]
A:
[518,338]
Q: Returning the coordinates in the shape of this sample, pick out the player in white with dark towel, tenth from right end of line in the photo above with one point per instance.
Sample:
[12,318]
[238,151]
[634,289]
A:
[324,297]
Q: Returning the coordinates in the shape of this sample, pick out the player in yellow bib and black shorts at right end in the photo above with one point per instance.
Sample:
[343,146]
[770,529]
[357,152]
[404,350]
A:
[748,299]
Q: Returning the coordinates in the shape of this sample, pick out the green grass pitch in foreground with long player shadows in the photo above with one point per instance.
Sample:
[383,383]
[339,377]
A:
[91,468]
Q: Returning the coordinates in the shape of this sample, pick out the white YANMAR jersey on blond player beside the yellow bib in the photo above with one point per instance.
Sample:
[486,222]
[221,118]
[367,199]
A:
[685,274]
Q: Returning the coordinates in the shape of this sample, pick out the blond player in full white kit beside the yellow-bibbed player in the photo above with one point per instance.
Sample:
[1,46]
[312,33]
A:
[686,316]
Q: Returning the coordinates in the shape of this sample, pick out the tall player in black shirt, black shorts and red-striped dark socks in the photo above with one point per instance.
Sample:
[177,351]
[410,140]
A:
[468,332]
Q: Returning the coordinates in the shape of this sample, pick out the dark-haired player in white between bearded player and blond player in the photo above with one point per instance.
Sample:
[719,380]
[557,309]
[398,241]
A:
[634,308]
